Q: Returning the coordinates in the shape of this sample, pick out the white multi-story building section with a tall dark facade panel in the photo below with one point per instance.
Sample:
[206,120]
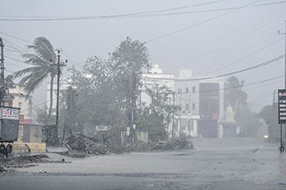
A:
[202,105]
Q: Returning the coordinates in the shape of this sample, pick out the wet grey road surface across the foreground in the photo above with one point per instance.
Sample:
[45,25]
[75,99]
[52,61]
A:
[215,164]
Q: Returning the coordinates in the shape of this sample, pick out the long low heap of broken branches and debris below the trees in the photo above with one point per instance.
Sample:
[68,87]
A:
[82,145]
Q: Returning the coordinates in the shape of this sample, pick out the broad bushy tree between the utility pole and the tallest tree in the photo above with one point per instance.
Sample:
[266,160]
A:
[98,96]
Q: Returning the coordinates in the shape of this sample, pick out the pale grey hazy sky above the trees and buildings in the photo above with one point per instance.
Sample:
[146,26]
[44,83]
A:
[210,37]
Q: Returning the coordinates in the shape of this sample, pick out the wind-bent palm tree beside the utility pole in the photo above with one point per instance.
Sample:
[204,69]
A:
[42,61]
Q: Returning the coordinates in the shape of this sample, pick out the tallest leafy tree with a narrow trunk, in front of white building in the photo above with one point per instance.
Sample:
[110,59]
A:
[130,59]
